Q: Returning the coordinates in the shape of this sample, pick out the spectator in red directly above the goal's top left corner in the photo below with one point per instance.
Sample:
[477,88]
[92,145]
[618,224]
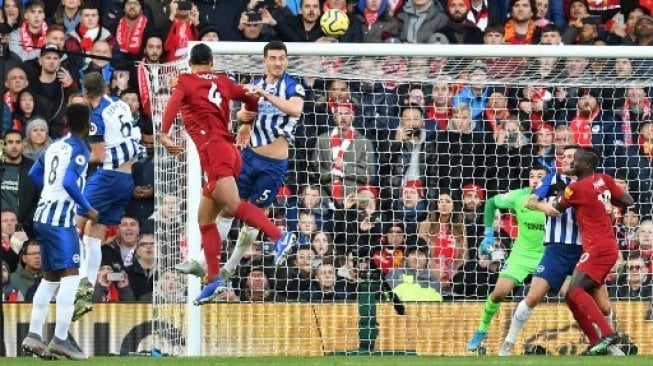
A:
[182,28]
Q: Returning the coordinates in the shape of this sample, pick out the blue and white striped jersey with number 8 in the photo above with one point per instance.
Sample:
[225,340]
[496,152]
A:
[61,172]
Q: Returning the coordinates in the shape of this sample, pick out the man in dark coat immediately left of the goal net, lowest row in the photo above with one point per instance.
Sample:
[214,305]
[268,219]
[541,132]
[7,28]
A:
[142,270]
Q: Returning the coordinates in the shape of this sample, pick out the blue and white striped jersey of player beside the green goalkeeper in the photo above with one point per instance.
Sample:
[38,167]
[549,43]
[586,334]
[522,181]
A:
[562,229]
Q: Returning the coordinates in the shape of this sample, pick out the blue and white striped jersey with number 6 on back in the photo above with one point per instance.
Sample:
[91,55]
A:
[112,122]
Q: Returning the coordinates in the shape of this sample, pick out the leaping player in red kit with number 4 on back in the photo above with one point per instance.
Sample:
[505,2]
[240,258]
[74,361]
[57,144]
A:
[203,97]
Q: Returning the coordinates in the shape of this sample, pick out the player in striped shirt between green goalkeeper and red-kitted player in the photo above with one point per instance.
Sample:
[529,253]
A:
[562,250]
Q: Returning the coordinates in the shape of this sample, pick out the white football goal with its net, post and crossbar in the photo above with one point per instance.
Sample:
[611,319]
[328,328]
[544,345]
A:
[399,201]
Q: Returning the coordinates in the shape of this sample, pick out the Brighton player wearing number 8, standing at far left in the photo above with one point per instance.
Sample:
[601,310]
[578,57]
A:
[61,172]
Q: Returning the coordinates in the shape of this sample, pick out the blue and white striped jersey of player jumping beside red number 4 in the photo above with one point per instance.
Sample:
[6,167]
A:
[271,122]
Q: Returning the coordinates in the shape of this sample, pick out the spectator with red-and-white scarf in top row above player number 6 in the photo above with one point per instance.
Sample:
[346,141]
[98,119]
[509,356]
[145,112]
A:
[132,29]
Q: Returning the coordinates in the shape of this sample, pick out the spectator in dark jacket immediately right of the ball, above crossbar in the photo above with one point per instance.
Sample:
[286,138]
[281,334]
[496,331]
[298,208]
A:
[378,24]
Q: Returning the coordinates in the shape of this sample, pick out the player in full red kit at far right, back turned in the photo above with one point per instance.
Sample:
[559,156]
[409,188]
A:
[593,197]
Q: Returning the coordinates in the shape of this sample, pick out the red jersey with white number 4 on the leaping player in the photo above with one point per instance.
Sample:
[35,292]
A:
[204,102]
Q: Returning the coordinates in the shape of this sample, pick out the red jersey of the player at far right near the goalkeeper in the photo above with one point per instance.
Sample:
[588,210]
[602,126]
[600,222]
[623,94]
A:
[591,198]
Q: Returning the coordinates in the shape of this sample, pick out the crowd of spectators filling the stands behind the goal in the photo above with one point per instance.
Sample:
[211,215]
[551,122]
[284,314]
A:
[385,176]
